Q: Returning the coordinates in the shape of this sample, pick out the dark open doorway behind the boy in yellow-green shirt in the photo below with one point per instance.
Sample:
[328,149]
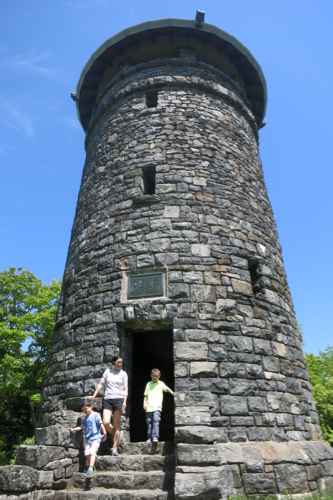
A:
[152,350]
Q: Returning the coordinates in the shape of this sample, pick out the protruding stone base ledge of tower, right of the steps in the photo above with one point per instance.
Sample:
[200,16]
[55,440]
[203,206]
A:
[259,468]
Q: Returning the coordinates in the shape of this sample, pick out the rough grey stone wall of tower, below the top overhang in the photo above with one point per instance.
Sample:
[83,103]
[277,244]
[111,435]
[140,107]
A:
[245,420]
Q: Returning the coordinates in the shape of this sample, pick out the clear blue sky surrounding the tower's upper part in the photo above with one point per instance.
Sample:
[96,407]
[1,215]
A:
[43,49]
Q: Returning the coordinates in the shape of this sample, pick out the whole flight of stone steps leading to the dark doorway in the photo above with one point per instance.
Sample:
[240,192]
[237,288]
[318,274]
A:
[143,471]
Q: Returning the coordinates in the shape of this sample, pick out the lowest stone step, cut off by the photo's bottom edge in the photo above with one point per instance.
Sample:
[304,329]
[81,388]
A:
[104,494]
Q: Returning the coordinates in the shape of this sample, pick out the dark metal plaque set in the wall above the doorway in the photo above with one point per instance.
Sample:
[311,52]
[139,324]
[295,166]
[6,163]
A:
[145,285]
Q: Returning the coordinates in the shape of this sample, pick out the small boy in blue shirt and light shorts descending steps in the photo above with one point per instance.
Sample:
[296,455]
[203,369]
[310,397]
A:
[93,425]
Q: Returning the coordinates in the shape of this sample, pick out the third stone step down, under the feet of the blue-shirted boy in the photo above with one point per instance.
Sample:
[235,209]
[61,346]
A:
[152,480]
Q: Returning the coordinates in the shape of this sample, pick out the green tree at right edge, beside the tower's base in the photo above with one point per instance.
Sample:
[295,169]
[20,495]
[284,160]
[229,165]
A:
[321,372]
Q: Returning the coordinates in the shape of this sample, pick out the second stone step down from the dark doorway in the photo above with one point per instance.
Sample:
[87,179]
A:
[143,463]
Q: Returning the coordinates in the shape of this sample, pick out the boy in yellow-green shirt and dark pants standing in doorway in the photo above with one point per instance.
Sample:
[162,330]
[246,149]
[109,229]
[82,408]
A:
[152,404]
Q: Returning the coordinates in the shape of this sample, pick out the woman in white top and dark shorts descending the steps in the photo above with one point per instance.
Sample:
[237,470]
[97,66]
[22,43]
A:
[115,398]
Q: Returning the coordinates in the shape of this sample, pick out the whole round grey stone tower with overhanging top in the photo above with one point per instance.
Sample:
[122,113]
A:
[175,262]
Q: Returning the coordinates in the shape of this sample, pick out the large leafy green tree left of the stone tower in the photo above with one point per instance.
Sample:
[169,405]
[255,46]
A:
[27,315]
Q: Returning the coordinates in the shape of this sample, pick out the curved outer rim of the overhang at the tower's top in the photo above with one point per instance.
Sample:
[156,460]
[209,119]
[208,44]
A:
[256,86]
